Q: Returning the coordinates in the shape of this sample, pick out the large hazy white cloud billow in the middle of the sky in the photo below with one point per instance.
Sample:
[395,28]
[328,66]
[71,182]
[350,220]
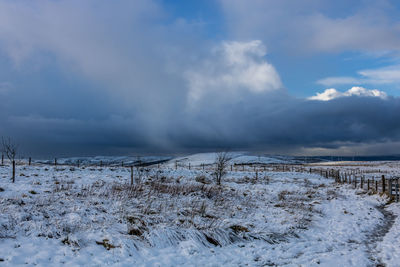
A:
[232,68]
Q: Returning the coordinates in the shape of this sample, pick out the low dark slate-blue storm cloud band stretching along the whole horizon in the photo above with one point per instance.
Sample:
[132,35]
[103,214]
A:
[255,124]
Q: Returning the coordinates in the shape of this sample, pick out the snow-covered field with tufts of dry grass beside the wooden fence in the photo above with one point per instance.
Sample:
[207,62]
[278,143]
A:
[174,215]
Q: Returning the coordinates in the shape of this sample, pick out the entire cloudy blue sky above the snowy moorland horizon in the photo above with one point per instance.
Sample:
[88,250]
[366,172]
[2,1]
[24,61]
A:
[97,77]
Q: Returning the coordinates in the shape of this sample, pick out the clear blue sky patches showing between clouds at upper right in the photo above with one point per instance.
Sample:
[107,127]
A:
[300,72]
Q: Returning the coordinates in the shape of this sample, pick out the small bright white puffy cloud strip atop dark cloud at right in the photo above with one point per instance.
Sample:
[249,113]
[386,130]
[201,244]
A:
[332,93]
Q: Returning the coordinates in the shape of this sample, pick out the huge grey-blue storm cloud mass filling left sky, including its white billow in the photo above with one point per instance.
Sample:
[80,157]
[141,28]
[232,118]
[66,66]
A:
[126,78]
